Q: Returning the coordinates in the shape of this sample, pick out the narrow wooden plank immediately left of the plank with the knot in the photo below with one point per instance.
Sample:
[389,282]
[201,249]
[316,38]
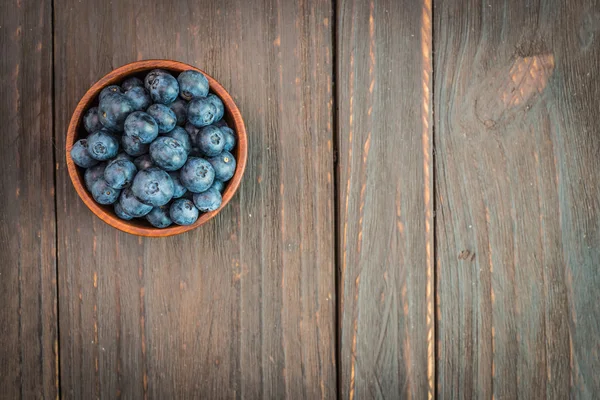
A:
[385,182]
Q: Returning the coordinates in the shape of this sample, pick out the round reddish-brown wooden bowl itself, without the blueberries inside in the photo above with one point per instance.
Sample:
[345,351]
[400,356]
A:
[76,131]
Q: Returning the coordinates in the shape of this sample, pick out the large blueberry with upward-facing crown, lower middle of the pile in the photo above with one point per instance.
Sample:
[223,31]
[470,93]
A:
[153,186]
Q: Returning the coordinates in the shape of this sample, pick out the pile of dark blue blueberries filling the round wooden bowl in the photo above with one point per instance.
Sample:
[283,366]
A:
[157,149]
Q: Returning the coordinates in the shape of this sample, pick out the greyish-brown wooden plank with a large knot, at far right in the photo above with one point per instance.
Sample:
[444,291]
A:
[518,198]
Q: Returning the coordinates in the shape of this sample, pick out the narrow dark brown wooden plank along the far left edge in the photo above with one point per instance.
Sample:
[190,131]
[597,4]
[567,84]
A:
[28,328]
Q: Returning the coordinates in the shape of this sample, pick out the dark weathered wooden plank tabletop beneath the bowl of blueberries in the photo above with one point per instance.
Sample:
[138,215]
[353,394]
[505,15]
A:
[420,215]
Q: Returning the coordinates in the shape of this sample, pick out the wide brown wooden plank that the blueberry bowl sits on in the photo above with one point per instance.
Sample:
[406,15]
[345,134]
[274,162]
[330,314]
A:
[244,305]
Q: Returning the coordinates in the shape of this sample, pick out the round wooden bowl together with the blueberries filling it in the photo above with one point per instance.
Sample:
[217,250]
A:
[156,148]
